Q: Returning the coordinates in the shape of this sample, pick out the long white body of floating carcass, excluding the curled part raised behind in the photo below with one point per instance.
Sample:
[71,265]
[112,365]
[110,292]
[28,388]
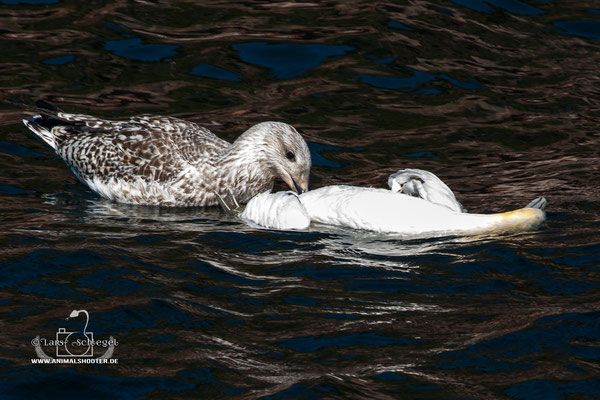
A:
[384,211]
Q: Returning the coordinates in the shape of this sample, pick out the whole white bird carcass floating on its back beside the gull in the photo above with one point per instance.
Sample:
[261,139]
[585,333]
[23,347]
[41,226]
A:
[397,211]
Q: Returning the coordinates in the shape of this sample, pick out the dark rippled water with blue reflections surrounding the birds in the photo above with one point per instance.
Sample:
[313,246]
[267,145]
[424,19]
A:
[500,98]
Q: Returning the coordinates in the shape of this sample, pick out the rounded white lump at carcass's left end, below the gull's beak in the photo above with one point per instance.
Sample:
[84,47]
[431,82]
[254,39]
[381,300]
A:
[281,210]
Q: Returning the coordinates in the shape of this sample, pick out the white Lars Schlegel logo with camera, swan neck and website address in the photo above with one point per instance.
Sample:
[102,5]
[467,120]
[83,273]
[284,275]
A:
[75,347]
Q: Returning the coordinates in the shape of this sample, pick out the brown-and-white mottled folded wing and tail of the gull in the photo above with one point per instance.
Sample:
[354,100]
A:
[149,147]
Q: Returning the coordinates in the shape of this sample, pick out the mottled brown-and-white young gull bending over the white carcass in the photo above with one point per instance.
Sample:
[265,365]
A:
[166,161]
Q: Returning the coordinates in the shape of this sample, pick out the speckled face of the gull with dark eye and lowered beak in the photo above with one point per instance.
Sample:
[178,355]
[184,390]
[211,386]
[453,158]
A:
[287,155]
